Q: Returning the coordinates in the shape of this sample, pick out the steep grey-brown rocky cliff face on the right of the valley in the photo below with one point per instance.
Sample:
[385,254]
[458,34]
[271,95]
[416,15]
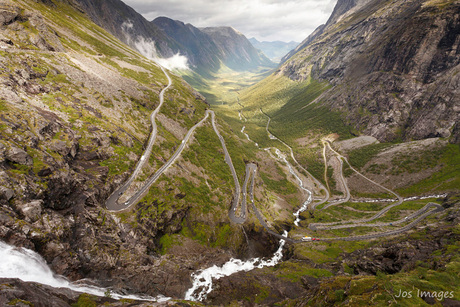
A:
[393,65]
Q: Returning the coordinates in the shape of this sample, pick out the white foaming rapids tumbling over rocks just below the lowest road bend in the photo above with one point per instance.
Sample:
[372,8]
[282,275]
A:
[202,281]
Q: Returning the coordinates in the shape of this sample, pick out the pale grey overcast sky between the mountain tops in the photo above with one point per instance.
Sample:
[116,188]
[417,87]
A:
[266,20]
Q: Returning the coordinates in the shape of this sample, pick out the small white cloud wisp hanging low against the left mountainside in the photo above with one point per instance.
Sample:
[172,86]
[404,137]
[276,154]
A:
[146,47]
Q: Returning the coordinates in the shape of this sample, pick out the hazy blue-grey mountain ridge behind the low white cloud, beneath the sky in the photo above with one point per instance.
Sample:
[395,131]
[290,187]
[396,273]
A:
[205,49]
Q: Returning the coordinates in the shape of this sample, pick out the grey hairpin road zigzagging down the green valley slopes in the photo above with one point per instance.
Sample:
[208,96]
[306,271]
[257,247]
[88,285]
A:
[113,205]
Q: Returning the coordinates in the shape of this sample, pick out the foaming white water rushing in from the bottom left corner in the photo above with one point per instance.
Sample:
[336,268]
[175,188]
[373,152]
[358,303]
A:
[27,265]
